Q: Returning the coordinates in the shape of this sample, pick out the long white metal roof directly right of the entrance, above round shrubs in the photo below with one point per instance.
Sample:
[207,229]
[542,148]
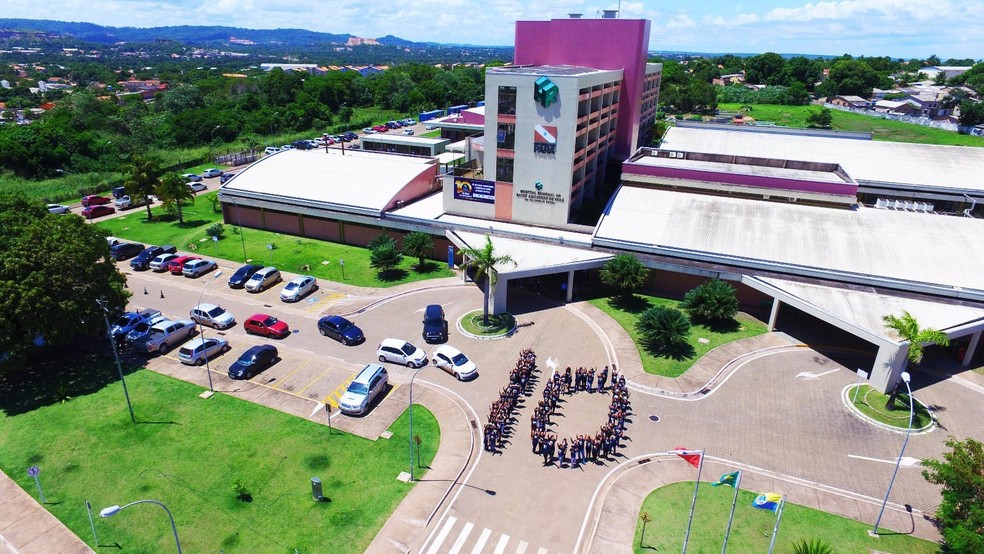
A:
[945,251]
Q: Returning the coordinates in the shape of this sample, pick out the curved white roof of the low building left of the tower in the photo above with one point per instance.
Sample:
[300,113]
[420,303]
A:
[360,179]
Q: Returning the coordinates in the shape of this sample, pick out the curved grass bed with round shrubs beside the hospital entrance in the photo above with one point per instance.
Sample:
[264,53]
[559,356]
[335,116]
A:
[628,315]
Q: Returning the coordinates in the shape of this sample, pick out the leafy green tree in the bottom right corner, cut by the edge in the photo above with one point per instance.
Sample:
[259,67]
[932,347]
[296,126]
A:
[961,514]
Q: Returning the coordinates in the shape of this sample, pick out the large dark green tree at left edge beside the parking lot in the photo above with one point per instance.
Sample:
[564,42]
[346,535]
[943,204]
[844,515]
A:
[53,268]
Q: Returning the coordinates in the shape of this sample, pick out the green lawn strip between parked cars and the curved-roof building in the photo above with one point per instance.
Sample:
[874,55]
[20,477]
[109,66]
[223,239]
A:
[291,253]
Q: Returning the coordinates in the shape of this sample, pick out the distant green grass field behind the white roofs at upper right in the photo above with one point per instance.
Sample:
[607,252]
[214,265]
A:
[882,129]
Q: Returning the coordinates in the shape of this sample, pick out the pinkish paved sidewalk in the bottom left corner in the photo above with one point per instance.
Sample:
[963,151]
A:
[27,528]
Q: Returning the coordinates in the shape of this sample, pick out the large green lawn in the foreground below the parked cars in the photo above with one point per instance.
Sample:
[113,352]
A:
[188,453]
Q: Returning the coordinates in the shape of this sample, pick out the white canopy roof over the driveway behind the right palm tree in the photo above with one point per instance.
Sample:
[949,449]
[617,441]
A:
[865,308]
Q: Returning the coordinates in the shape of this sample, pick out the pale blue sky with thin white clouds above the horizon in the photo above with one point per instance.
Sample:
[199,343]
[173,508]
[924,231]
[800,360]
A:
[897,28]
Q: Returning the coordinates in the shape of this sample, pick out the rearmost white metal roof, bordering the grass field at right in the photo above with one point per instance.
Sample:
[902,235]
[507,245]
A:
[955,167]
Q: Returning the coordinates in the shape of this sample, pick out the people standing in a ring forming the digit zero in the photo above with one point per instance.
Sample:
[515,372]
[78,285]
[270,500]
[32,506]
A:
[581,449]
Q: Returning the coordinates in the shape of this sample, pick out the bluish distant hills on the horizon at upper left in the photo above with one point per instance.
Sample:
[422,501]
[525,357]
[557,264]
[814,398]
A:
[186,34]
